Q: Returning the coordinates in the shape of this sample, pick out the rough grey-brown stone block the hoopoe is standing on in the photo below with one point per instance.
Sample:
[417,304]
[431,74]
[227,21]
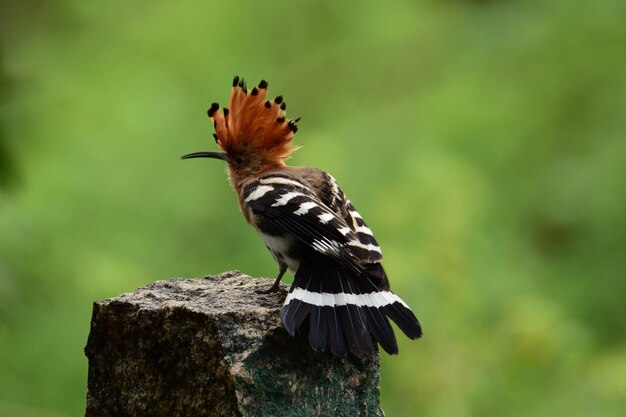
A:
[214,347]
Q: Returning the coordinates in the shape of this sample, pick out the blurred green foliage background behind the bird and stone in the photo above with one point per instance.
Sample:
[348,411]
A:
[483,141]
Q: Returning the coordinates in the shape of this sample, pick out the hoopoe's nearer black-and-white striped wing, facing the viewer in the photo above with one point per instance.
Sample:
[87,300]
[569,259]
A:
[294,208]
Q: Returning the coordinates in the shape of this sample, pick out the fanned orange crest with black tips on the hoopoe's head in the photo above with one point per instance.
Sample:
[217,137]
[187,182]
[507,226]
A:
[253,124]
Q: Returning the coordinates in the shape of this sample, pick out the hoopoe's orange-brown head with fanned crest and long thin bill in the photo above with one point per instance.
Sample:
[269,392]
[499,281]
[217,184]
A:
[254,135]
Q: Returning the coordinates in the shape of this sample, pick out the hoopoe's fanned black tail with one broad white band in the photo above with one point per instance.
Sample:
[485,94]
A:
[346,310]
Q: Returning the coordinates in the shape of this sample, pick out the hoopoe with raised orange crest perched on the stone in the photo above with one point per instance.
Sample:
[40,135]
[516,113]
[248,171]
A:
[310,227]
